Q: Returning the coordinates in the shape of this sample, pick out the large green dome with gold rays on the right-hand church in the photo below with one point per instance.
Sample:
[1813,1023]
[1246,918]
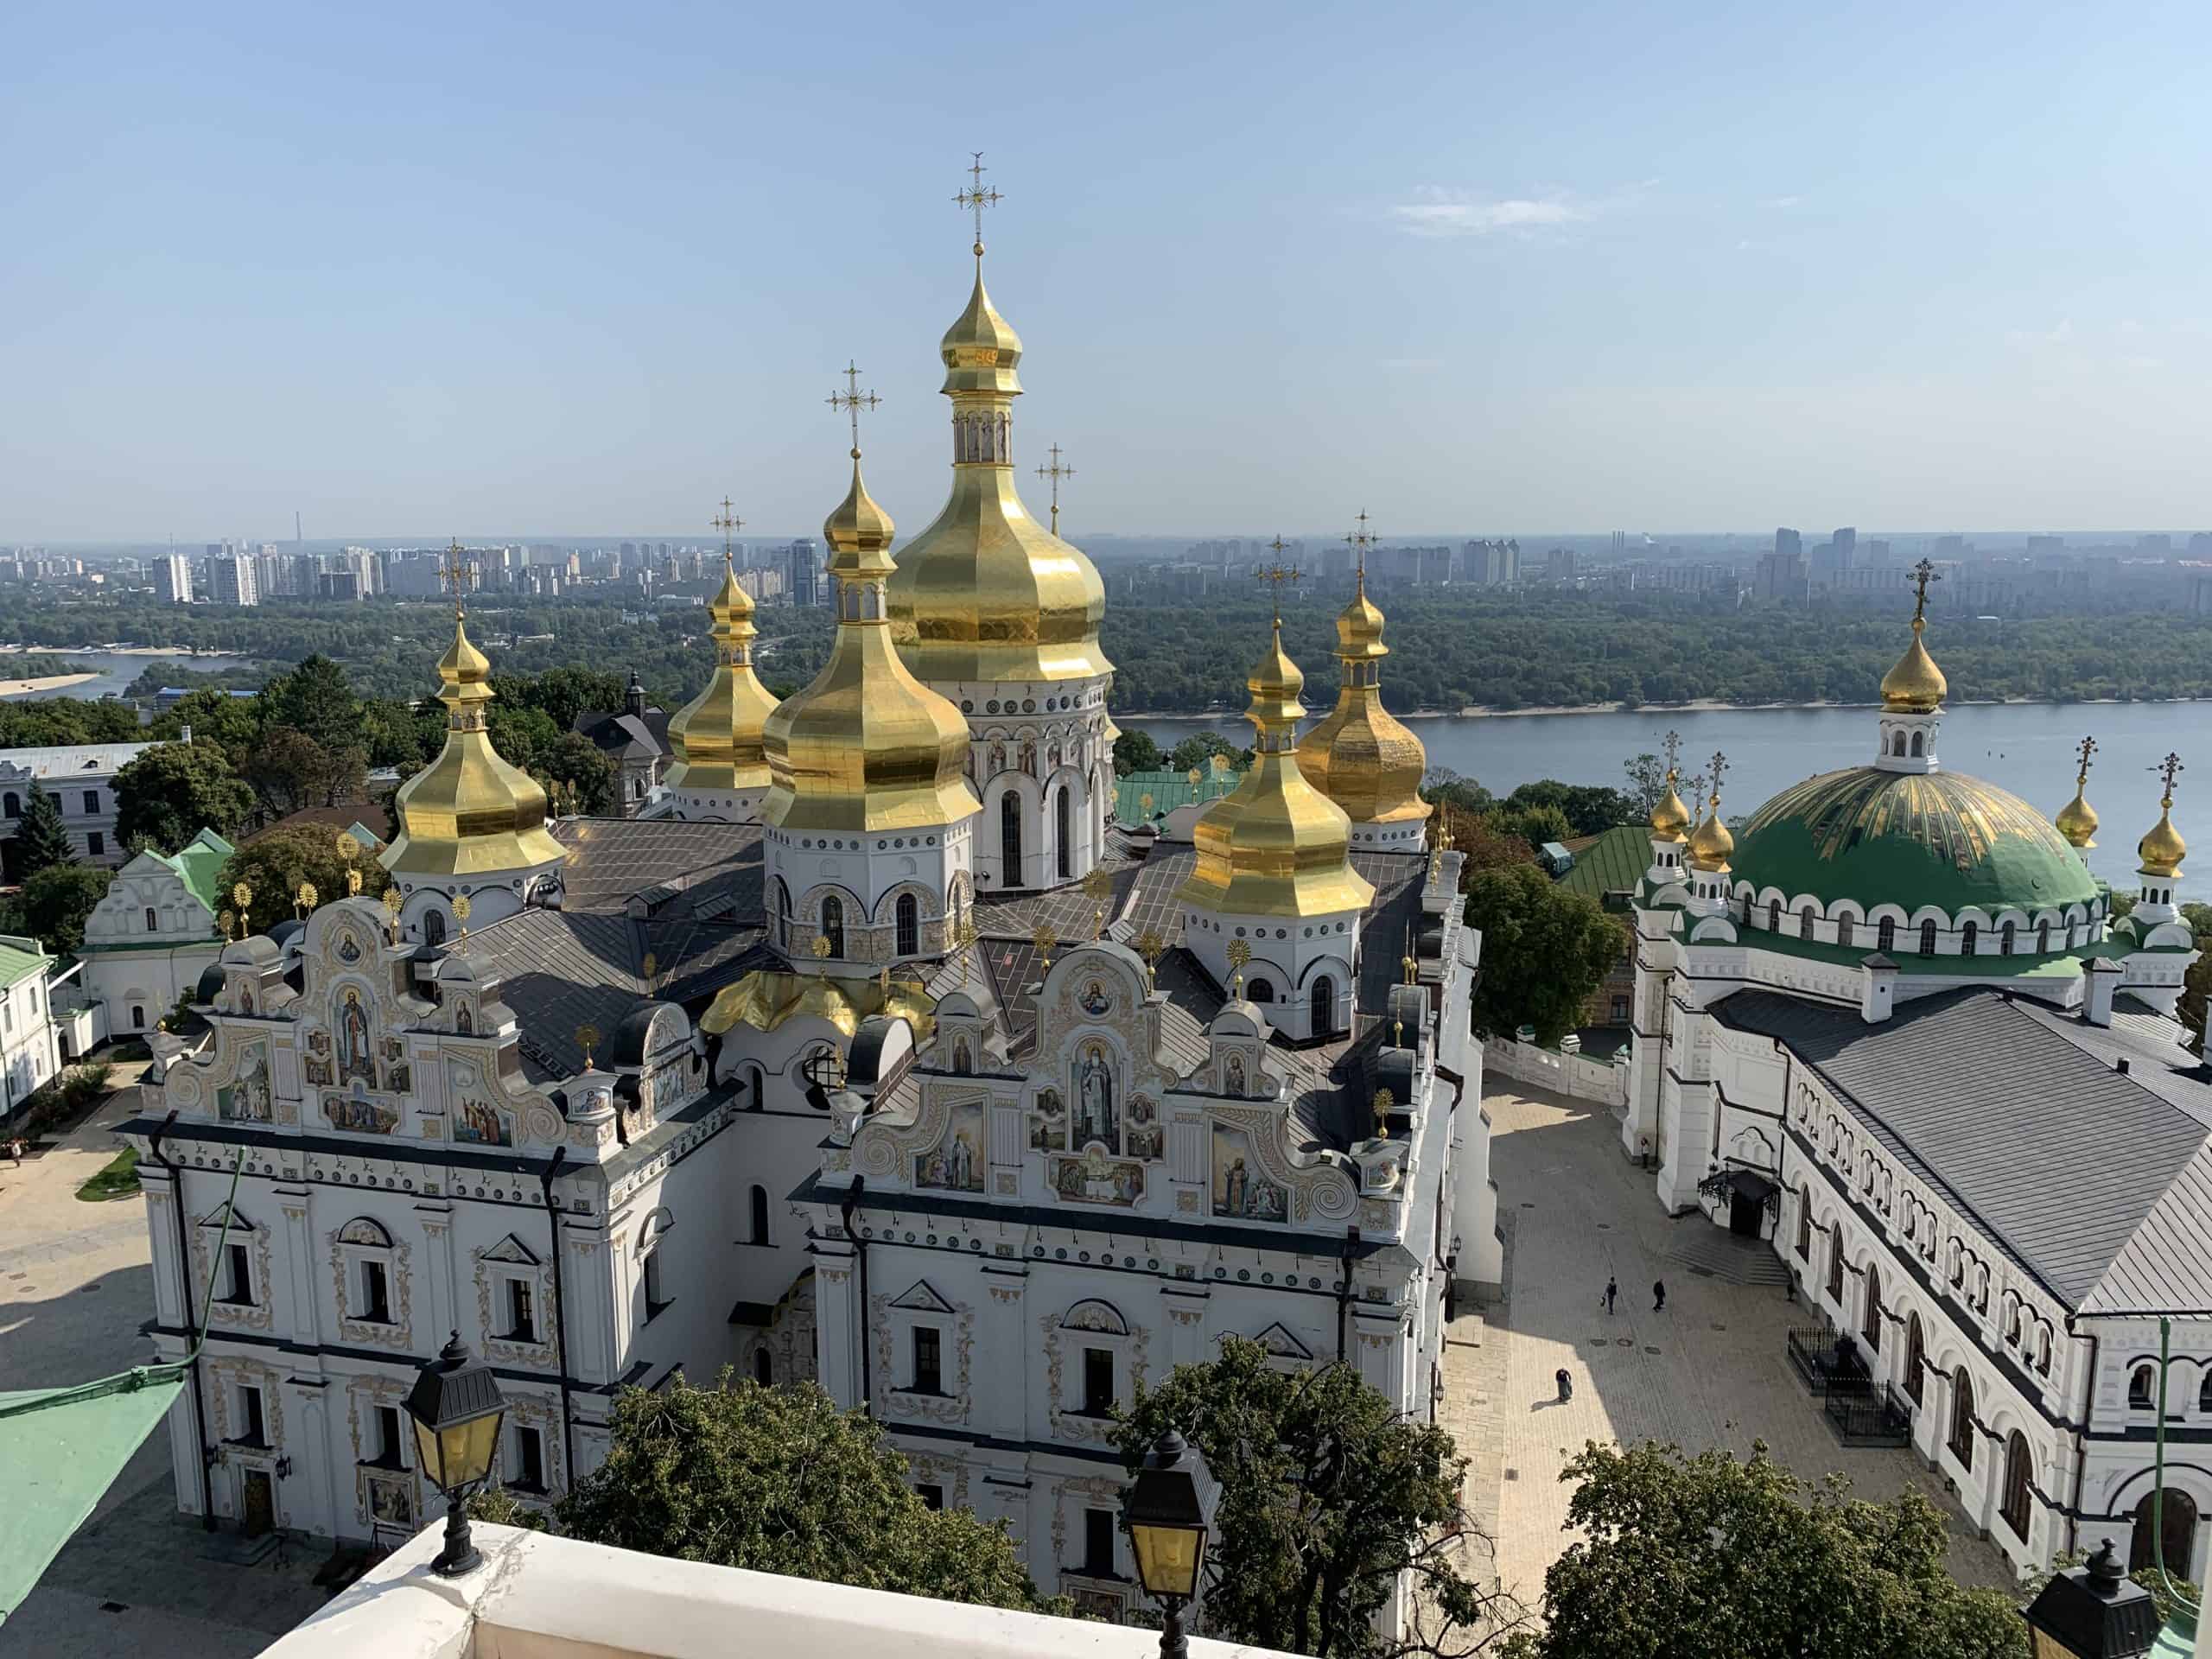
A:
[1910,839]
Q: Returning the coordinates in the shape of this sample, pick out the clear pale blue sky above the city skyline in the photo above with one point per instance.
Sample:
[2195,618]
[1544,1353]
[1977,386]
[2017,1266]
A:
[426,271]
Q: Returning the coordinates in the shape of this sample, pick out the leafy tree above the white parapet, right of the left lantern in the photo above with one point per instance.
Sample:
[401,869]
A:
[780,1481]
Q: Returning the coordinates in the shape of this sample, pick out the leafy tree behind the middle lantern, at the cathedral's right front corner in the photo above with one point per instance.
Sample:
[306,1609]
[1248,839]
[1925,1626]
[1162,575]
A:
[1328,1496]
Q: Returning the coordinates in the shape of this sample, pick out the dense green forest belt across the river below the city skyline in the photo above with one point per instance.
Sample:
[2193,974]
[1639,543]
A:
[1450,647]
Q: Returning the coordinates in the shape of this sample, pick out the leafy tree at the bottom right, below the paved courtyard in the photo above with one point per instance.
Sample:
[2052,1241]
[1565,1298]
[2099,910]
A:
[1687,1558]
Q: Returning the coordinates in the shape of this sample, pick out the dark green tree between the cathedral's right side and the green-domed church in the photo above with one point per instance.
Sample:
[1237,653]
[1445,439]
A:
[1545,948]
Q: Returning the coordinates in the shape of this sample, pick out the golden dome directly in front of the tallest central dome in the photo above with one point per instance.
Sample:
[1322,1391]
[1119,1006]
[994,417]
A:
[866,747]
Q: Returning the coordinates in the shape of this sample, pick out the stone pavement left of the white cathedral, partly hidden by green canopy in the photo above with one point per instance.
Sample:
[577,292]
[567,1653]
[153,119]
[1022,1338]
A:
[138,1578]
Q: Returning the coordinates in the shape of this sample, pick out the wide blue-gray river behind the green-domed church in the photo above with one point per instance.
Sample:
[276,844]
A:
[2025,749]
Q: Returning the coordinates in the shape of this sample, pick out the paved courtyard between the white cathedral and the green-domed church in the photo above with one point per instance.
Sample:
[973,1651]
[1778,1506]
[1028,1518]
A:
[1707,1373]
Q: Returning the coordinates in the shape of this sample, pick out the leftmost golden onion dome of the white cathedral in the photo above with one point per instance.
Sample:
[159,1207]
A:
[470,813]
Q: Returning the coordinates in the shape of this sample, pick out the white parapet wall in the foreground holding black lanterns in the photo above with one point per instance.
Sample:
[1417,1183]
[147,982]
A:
[552,1598]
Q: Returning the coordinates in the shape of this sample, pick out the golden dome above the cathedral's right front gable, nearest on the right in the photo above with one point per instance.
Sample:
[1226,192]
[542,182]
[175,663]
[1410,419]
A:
[1275,846]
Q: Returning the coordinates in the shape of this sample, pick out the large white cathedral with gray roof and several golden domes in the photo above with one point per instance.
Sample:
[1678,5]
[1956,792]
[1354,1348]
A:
[886,1061]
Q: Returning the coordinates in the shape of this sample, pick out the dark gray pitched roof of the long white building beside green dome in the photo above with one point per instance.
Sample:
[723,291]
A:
[2023,1118]
